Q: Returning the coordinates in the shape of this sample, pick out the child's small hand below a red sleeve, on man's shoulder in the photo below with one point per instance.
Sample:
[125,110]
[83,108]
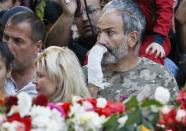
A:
[155,48]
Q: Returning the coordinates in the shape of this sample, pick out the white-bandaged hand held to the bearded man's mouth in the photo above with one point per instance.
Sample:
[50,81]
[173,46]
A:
[95,74]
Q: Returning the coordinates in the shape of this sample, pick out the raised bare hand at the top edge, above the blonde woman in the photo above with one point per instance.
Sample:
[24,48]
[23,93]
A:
[69,6]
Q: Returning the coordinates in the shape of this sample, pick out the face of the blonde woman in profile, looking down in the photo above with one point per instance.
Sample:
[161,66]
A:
[44,84]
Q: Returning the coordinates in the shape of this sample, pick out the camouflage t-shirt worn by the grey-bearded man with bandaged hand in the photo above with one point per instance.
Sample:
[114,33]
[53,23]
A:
[141,81]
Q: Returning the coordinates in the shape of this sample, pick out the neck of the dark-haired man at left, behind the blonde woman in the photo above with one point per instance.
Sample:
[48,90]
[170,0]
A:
[23,77]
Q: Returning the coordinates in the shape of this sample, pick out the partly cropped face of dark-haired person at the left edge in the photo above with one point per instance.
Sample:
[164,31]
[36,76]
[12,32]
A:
[3,72]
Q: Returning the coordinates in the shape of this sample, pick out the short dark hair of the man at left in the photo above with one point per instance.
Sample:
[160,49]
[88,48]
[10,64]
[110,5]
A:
[38,30]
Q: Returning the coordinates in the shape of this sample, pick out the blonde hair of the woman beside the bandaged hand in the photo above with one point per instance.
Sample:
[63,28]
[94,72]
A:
[62,66]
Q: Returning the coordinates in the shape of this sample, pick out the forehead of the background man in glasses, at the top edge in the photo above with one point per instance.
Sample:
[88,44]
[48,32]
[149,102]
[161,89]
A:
[95,3]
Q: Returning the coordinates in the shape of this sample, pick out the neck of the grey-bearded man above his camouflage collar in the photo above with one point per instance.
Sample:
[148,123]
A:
[125,64]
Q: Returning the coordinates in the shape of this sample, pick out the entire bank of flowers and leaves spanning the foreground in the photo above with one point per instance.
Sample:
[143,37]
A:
[22,113]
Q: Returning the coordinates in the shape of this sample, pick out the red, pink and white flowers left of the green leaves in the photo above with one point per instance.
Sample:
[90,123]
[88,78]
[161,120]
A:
[21,113]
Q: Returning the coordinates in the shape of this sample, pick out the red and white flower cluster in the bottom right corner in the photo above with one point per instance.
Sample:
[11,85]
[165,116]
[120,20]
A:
[173,117]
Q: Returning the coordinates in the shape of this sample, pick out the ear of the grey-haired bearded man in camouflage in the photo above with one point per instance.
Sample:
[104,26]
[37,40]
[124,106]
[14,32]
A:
[132,39]
